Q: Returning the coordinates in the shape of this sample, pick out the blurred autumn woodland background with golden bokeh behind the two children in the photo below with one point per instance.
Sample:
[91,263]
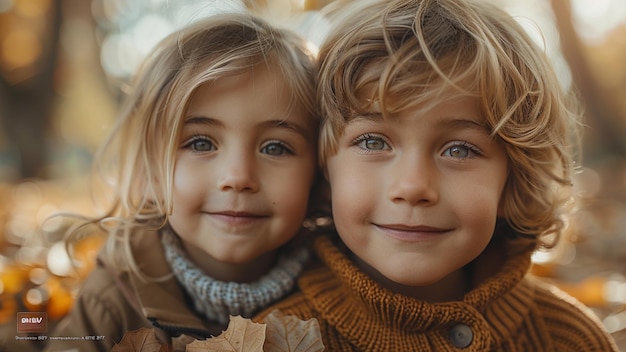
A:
[63,66]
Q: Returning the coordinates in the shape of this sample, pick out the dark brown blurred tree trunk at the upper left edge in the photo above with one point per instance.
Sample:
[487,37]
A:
[26,104]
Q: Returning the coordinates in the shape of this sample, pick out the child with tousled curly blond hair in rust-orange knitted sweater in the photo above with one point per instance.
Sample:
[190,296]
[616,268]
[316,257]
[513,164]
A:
[446,141]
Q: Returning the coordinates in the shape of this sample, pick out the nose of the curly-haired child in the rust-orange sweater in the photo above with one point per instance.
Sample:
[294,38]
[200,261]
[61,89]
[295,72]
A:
[414,180]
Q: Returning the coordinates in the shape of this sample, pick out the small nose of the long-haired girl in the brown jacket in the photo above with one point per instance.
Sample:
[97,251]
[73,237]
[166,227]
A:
[237,173]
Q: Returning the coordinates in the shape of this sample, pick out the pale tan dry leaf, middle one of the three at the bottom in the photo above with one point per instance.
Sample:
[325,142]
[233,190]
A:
[242,335]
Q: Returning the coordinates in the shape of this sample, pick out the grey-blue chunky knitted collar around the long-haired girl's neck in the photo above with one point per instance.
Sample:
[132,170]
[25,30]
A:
[217,300]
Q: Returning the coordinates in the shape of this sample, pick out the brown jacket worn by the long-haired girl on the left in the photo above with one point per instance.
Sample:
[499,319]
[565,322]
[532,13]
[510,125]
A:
[112,302]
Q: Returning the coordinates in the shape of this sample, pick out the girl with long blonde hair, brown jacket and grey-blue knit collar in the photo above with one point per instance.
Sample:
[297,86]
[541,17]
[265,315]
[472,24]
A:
[214,163]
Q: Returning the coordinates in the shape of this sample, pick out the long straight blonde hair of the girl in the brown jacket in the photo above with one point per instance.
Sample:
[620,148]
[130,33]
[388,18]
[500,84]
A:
[138,156]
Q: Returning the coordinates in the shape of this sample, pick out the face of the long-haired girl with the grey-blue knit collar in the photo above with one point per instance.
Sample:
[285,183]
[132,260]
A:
[244,168]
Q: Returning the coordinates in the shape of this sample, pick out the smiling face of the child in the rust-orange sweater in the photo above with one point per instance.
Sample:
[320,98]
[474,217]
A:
[416,197]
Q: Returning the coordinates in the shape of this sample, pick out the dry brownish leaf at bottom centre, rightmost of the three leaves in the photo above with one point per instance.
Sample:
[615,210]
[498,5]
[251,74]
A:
[287,333]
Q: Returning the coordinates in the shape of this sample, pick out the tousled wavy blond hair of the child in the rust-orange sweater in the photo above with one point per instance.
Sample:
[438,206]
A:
[399,54]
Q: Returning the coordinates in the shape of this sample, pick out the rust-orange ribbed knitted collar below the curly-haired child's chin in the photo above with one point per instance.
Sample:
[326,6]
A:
[346,298]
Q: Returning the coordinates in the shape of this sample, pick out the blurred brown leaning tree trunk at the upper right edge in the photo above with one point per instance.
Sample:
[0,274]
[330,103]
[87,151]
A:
[604,135]
